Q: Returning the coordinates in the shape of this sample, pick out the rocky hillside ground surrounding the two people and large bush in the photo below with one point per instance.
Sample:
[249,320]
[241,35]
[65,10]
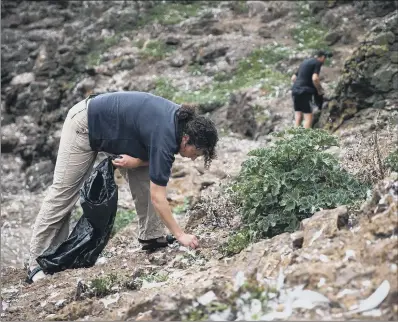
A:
[75,48]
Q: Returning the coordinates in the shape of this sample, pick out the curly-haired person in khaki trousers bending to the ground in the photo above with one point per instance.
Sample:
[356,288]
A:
[146,131]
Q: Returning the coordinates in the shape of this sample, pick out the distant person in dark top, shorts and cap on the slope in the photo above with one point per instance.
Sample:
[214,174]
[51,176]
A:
[306,85]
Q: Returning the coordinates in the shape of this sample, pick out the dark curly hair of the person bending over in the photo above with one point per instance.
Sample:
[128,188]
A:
[201,130]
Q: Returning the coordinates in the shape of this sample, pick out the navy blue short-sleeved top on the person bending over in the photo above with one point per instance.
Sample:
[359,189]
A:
[138,124]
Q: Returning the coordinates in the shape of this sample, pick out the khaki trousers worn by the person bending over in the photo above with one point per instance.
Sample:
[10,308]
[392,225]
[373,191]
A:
[75,161]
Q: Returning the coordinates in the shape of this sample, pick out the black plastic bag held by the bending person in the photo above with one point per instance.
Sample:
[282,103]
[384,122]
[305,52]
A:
[98,198]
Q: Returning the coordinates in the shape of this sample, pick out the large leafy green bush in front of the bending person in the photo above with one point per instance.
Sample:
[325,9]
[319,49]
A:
[289,181]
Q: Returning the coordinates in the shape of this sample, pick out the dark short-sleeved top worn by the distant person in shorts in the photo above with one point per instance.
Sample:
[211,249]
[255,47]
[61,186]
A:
[303,83]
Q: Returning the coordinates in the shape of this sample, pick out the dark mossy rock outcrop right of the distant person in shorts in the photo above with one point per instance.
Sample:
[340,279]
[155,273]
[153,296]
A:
[369,78]
